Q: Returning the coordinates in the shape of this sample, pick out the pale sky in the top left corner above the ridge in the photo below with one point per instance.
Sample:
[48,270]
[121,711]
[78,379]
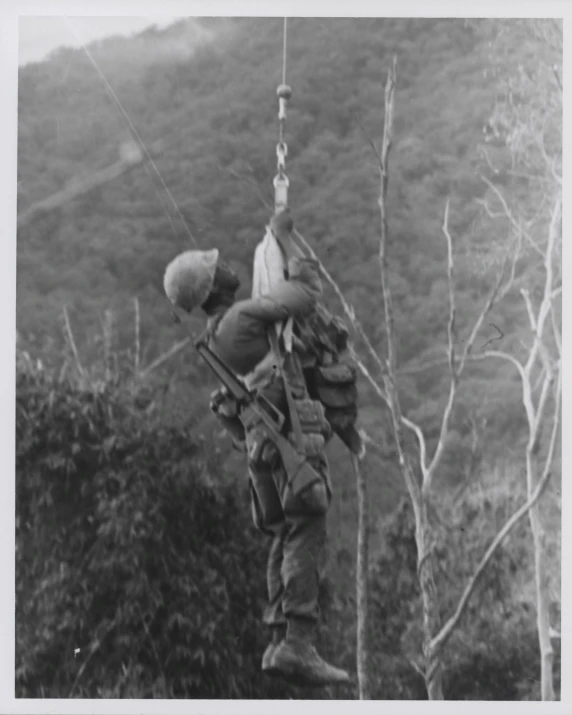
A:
[40,35]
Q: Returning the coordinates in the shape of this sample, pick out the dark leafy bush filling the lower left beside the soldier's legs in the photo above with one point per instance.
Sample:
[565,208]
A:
[135,578]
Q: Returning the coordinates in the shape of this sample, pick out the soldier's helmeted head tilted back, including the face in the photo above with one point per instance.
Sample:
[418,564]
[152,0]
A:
[200,278]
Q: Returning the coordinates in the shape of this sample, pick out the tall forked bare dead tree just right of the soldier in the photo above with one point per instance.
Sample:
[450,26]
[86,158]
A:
[435,635]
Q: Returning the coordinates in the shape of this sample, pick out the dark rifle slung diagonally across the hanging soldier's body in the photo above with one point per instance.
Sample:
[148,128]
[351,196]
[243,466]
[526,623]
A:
[256,409]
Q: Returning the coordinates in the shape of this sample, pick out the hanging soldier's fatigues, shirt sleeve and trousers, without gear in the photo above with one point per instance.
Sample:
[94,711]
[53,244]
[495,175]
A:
[297,524]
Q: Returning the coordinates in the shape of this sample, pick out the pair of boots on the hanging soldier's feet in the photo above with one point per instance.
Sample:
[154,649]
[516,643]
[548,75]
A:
[297,660]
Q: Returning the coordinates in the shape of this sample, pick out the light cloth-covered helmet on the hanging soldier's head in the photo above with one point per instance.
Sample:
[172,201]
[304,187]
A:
[189,278]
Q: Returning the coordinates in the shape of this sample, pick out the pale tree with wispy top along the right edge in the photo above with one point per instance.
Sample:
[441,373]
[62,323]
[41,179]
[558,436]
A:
[532,131]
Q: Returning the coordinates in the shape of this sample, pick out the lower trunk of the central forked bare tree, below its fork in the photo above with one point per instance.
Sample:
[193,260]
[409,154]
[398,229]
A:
[430,599]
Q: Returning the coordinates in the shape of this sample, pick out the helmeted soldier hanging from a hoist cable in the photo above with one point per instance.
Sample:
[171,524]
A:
[290,508]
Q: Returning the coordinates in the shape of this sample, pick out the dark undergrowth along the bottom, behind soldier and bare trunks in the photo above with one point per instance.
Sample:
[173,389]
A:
[139,573]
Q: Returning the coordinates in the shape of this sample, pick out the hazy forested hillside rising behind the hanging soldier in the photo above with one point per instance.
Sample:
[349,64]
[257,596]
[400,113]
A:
[215,112]
